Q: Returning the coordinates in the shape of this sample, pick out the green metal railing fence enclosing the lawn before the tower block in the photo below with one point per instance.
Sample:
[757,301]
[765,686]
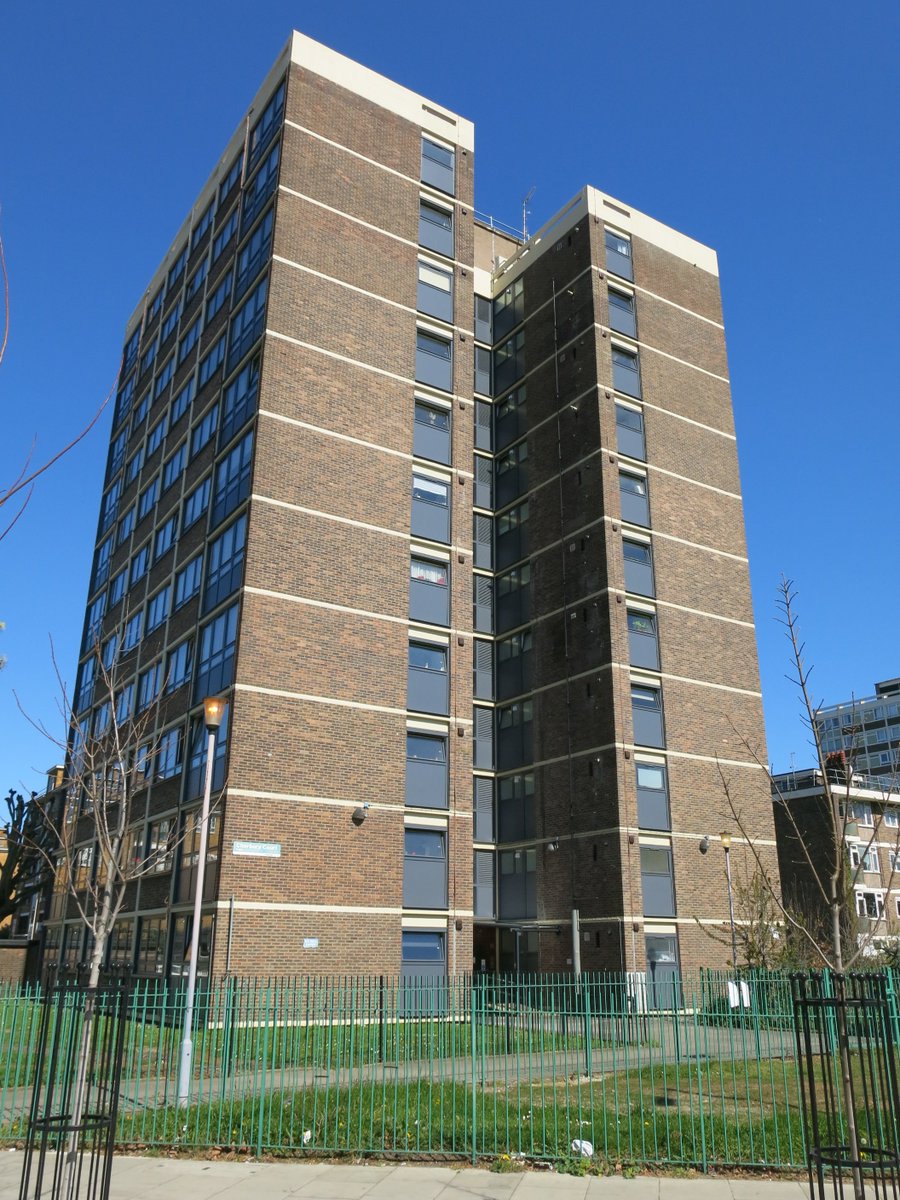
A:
[467,1067]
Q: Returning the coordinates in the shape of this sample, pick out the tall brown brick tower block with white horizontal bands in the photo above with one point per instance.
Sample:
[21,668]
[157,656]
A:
[454,521]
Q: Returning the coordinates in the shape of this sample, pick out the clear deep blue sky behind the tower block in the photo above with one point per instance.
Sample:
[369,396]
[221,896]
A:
[765,130]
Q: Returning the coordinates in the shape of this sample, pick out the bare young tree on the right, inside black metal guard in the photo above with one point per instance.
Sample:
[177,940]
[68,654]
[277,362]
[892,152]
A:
[838,943]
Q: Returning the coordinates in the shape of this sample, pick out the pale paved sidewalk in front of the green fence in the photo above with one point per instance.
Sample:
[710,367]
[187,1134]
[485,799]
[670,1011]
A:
[183,1179]
